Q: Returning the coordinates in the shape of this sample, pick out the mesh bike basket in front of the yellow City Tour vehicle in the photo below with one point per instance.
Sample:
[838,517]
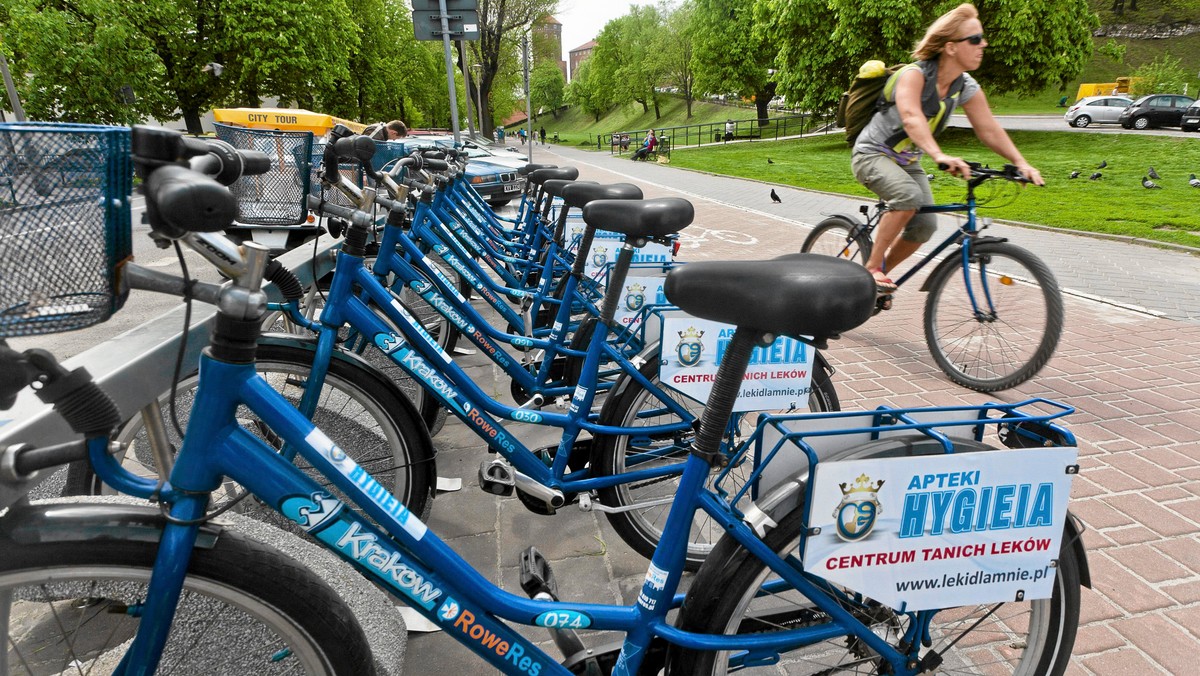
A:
[278,198]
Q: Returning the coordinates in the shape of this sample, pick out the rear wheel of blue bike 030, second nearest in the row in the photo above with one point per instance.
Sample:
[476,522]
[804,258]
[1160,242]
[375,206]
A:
[650,500]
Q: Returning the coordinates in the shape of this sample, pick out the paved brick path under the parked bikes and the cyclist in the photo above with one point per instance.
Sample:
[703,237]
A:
[1135,378]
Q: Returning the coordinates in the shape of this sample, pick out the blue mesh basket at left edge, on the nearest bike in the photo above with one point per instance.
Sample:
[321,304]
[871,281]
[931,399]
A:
[64,225]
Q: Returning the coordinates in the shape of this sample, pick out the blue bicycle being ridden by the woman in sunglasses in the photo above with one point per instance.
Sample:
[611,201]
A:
[993,313]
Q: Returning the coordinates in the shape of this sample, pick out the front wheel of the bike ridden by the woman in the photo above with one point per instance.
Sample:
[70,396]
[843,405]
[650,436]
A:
[991,354]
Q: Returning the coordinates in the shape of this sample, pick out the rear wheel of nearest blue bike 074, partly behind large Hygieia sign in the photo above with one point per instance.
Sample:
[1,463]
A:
[723,591]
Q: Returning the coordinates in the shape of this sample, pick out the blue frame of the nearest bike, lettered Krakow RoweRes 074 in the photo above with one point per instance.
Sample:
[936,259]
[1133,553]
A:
[404,557]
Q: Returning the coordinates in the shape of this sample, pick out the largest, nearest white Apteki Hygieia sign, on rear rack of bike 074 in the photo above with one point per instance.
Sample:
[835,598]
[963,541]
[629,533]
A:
[943,531]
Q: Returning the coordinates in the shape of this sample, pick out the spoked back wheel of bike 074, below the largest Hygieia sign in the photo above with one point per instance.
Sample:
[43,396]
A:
[1030,638]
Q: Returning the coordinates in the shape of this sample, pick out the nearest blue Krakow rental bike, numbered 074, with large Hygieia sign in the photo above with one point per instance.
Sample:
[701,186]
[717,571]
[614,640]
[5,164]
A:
[141,589]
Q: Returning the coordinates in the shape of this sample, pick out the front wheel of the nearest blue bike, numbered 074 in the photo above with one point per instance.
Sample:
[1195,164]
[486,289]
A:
[237,594]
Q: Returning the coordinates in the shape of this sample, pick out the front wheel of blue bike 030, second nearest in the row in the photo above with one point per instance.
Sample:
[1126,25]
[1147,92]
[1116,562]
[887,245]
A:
[359,410]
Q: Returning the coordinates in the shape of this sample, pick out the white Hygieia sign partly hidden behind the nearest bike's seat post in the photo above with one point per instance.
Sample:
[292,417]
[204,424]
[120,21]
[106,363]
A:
[779,376]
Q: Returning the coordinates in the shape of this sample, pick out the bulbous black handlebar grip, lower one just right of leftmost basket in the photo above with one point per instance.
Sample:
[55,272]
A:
[181,201]
